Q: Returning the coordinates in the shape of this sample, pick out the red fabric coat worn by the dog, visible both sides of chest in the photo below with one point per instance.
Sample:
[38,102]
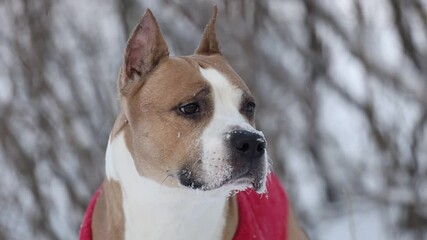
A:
[261,217]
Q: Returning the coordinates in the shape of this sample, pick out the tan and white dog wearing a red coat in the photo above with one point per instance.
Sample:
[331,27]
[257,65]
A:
[184,159]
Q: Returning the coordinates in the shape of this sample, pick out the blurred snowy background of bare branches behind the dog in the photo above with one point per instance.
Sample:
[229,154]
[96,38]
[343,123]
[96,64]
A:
[341,88]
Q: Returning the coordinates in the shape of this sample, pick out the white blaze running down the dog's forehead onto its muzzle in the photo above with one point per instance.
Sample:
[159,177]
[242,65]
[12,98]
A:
[227,102]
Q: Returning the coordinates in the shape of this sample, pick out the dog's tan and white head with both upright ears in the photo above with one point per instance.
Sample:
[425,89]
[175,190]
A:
[191,118]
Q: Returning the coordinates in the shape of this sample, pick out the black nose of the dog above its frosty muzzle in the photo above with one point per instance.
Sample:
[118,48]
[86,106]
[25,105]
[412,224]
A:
[247,144]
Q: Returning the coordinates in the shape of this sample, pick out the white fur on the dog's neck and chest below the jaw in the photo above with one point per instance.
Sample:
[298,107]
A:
[154,211]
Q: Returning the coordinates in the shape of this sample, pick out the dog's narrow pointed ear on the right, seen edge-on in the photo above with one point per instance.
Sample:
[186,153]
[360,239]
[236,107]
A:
[209,44]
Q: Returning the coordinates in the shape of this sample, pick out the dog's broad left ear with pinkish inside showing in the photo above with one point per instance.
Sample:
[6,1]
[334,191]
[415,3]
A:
[144,50]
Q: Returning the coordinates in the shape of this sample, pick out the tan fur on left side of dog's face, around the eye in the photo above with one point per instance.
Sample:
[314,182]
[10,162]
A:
[162,140]
